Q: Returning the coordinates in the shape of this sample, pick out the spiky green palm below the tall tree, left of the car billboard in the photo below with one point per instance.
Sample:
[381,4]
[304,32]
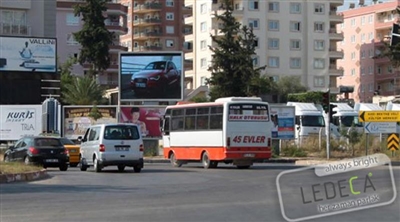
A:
[83,91]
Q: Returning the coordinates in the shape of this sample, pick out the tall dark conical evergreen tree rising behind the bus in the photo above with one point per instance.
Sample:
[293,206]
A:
[232,68]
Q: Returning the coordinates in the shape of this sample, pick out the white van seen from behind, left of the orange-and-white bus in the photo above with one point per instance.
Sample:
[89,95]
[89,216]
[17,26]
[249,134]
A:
[118,144]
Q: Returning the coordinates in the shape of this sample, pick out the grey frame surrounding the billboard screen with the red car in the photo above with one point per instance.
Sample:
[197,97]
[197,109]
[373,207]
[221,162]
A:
[151,99]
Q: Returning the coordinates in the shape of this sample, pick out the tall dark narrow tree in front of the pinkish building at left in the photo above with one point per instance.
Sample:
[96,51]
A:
[94,37]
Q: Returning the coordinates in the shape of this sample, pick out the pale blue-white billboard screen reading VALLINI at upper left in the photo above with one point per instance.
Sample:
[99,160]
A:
[28,54]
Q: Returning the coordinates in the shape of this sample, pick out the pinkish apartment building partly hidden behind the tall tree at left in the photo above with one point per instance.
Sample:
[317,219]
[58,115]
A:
[68,23]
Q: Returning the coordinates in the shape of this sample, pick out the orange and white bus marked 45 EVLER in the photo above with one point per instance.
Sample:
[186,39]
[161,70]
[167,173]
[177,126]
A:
[233,130]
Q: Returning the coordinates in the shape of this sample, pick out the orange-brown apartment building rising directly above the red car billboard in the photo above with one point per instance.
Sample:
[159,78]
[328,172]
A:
[154,25]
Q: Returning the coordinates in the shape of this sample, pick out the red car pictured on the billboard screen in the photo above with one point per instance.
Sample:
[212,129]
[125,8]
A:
[156,77]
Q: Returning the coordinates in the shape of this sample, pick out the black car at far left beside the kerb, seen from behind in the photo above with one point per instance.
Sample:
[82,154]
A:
[45,151]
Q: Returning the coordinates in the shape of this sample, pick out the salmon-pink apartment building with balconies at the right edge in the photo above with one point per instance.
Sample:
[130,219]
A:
[365,29]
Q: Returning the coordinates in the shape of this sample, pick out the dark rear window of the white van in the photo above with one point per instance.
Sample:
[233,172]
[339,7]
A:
[121,133]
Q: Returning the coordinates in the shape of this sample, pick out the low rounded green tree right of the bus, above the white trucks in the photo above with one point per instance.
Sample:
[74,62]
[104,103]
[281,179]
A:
[289,84]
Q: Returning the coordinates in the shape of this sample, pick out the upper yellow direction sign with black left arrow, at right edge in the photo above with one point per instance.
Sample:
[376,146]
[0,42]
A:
[379,116]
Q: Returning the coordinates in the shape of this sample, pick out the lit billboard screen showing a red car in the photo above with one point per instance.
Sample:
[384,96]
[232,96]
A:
[151,76]
